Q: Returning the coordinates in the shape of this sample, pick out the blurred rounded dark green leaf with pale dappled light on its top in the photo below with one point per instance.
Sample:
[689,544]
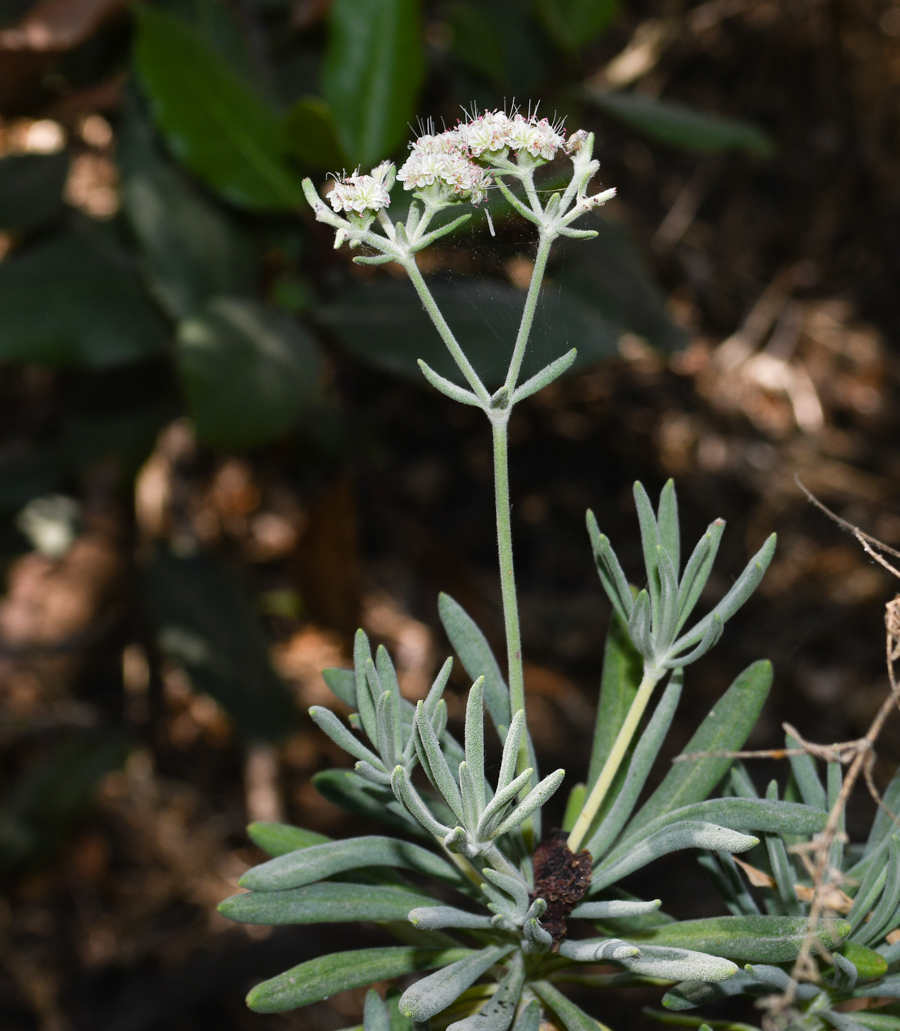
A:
[248,371]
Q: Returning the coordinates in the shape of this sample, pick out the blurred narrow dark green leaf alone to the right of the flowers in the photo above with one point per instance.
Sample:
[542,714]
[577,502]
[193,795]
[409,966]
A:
[681,126]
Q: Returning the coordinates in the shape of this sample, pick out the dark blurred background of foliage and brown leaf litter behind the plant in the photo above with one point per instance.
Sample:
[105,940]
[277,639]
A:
[218,457]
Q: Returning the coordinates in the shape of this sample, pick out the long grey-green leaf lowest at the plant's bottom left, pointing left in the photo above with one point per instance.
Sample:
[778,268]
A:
[340,972]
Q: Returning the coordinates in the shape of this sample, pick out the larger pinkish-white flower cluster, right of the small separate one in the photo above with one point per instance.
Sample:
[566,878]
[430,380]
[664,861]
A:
[450,160]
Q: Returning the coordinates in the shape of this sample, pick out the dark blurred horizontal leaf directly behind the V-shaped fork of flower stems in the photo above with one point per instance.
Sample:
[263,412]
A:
[385,325]
